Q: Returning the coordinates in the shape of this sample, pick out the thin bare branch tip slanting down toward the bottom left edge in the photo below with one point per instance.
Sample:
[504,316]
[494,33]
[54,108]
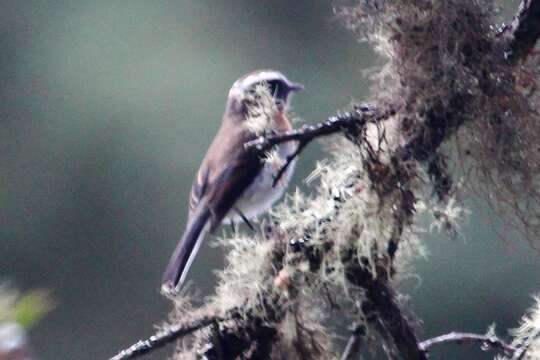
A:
[171,334]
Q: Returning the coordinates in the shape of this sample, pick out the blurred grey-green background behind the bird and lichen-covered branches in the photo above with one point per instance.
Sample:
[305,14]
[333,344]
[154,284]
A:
[107,108]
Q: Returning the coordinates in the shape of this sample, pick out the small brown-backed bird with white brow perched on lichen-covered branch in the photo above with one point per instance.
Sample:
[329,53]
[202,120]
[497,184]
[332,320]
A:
[234,184]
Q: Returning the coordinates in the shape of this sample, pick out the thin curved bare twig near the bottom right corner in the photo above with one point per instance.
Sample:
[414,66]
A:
[487,342]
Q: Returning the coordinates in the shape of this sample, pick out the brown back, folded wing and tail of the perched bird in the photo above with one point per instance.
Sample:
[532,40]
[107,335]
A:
[226,171]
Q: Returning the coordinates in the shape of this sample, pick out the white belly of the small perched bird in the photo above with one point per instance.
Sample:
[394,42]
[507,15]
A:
[261,194]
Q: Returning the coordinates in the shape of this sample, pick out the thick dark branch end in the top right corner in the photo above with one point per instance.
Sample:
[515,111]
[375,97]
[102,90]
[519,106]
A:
[525,30]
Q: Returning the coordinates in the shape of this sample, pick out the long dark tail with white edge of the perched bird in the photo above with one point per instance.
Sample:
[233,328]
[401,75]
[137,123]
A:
[186,250]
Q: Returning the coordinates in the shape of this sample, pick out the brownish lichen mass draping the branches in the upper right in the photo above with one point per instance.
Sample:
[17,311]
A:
[446,71]
